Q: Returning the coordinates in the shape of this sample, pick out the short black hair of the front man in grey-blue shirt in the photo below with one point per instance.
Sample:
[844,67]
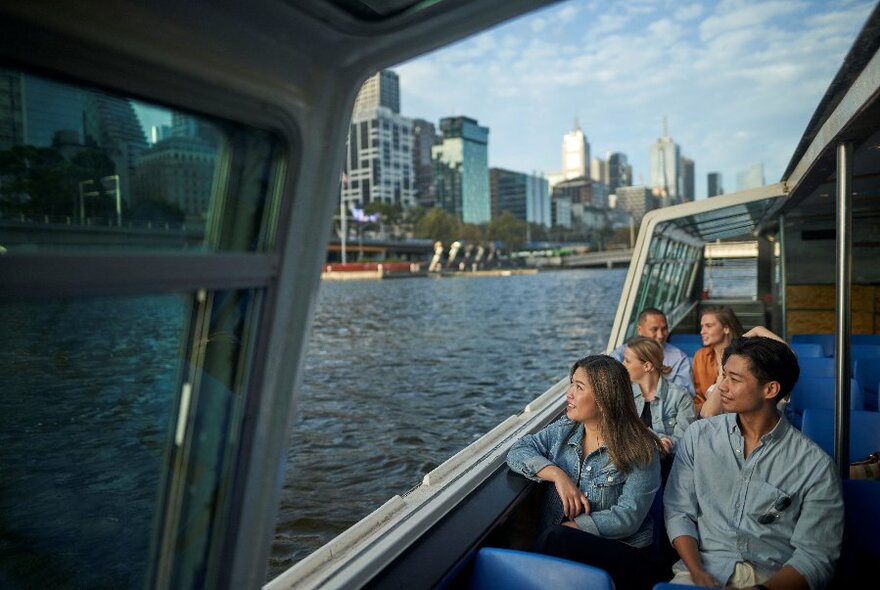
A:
[769,360]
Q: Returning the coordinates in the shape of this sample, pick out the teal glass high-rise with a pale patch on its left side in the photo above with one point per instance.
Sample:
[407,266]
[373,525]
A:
[461,170]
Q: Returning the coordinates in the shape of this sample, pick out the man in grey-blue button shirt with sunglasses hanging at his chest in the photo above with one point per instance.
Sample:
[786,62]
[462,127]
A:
[752,502]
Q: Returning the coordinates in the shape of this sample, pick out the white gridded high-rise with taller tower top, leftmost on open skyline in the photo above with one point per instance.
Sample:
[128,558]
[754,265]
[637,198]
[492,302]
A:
[379,162]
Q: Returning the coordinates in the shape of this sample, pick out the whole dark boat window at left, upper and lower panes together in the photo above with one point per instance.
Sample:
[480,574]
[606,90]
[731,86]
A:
[137,244]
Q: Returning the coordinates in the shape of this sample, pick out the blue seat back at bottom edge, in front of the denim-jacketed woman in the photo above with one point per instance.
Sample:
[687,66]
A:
[504,569]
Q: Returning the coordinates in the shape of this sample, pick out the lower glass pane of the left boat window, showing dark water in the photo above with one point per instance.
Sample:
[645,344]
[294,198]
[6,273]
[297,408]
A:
[87,413]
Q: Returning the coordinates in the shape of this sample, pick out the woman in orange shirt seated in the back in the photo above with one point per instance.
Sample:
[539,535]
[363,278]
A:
[718,326]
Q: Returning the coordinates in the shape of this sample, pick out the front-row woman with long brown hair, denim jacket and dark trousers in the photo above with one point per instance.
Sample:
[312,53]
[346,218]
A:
[603,462]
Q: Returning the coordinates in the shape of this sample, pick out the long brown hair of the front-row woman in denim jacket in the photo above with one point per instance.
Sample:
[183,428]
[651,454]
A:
[629,441]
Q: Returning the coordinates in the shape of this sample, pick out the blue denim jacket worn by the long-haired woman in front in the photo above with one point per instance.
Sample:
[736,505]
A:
[619,502]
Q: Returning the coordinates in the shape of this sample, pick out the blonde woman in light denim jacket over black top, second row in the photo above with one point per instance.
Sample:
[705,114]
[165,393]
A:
[665,408]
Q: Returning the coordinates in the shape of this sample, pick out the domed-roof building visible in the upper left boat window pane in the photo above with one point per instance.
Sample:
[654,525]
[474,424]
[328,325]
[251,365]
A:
[180,171]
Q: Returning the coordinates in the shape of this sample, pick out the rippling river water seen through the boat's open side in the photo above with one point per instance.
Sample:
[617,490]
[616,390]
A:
[401,374]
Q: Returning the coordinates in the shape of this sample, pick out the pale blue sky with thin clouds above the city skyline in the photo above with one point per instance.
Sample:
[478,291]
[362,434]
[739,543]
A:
[737,80]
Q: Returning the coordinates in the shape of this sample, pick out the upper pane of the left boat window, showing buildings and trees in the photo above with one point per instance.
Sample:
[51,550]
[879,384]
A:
[86,169]
